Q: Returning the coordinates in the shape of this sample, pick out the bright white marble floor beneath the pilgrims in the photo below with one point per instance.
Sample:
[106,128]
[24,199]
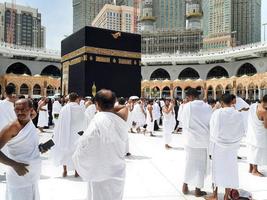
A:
[153,173]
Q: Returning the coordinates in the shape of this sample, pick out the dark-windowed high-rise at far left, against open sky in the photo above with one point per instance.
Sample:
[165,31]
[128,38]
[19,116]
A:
[26,22]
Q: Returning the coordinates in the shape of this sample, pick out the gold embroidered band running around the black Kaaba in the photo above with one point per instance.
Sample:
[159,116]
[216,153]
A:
[101,51]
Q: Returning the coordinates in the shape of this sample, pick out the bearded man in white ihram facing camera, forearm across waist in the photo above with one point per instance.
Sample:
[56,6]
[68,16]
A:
[23,157]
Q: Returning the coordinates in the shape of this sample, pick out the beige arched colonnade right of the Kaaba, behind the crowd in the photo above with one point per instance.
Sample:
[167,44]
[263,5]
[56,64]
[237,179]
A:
[248,87]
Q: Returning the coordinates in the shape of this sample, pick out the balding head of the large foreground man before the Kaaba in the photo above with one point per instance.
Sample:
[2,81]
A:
[105,99]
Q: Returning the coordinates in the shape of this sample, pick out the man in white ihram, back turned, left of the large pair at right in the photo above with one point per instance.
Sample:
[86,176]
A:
[195,118]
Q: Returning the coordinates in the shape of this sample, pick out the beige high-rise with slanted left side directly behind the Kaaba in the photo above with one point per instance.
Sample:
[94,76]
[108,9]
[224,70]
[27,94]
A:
[118,18]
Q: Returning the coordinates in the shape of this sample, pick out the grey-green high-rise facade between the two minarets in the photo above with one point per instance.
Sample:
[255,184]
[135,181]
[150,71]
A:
[170,14]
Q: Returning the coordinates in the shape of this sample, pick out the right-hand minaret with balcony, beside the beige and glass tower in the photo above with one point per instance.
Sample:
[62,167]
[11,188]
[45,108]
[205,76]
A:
[194,14]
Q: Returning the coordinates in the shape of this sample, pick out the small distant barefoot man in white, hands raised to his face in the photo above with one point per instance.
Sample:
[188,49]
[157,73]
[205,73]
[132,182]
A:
[168,122]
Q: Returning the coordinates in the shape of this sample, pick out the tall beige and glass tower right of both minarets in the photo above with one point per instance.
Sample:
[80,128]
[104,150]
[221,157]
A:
[231,22]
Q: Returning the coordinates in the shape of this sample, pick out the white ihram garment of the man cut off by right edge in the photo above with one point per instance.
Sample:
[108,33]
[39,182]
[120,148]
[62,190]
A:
[256,138]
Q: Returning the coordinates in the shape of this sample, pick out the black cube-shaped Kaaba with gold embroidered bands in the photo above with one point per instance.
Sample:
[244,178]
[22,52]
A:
[95,58]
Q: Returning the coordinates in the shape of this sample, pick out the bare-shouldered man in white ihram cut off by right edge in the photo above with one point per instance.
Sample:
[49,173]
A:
[257,136]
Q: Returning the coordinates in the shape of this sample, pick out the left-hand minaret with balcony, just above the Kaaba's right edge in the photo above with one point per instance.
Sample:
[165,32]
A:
[147,19]
